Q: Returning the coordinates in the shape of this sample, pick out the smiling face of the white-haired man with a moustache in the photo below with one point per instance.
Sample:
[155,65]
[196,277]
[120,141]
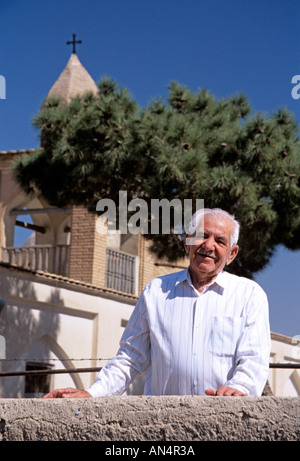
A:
[211,251]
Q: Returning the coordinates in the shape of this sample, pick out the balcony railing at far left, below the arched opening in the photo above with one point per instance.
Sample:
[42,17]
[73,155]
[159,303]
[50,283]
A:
[47,258]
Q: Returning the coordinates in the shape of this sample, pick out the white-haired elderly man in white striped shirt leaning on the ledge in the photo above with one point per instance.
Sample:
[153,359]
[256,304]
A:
[195,332]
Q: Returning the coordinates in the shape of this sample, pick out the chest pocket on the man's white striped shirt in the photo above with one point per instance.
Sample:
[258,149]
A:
[224,335]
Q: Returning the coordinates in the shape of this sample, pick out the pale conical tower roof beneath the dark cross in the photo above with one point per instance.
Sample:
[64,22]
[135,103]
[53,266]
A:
[74,80]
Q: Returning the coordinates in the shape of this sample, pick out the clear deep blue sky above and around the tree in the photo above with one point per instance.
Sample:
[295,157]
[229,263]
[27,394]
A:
[227,47]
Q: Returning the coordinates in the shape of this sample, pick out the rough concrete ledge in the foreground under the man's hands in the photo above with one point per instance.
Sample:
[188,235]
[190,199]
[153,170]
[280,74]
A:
[140,418]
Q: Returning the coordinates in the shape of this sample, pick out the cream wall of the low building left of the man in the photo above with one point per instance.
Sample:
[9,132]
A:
[48,319]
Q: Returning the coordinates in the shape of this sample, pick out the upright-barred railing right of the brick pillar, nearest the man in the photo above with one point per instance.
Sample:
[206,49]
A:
[121,271]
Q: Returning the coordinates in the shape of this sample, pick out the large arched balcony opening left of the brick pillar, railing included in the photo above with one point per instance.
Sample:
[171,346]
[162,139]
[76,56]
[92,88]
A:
[37,236]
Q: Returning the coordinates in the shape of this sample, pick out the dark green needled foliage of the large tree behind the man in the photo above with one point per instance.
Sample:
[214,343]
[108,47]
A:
[192,146]
